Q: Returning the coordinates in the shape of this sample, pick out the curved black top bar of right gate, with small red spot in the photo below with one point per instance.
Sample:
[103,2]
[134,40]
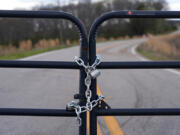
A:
[123,14]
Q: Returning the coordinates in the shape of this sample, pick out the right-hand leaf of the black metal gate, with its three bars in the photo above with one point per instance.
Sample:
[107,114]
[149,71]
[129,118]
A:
[120,65]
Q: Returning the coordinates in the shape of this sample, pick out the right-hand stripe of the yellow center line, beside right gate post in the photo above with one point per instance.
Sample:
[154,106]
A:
[111,121]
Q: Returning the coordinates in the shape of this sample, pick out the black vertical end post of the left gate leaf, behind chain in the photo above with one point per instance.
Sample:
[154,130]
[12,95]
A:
[82,86]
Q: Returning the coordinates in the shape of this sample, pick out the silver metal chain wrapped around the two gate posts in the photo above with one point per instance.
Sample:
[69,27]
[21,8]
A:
[90,104]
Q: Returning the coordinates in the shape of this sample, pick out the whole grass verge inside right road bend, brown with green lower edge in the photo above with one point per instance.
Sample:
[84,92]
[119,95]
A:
[163,47]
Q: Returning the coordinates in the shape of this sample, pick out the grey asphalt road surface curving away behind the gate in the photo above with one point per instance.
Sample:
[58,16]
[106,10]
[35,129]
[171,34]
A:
[45,88]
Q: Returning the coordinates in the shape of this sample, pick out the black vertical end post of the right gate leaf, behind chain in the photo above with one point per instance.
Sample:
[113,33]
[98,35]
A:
[93,117]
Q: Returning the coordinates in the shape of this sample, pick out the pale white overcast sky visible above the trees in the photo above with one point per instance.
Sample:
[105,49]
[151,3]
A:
[27,4]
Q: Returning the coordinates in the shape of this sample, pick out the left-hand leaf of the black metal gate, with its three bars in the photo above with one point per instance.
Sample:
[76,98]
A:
[48,64]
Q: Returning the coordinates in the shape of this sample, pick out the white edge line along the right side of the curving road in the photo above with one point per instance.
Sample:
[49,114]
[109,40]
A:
[133,51]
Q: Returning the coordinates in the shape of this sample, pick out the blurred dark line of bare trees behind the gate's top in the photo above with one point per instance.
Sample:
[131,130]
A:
[13,31]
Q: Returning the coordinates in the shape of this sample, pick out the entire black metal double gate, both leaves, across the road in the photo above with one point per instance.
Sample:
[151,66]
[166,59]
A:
[88,55]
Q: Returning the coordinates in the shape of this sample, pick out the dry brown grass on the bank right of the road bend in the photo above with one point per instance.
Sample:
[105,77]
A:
[164,45]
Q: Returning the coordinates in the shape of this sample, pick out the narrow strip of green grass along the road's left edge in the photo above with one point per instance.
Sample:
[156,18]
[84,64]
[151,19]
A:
[23,54]
